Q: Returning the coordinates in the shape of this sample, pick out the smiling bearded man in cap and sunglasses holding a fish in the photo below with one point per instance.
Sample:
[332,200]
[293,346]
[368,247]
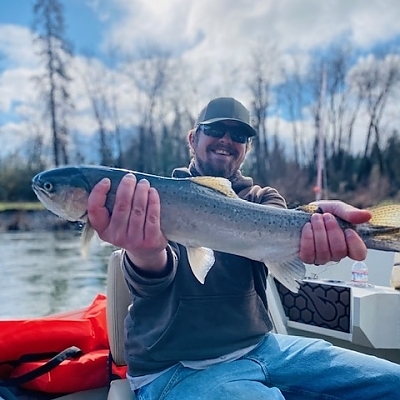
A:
[185,340]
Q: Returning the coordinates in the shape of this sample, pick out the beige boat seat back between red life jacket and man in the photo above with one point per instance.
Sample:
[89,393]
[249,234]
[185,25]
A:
[118,301]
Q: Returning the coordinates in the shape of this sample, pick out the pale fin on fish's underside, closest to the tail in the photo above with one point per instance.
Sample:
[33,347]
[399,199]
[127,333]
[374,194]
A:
[290,272]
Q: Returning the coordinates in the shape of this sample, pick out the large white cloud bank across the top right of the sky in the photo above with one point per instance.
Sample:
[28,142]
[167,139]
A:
[224,28]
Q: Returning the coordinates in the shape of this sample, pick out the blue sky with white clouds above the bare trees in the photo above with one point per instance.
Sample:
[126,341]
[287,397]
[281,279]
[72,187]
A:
[203,31]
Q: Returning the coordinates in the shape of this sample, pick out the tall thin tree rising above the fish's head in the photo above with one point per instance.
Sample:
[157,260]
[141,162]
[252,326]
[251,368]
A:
[54,51]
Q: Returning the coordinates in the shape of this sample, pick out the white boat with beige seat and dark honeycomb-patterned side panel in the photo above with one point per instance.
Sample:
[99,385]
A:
[359,318]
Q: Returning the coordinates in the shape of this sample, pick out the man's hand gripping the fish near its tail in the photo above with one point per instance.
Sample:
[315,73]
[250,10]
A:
[322,239]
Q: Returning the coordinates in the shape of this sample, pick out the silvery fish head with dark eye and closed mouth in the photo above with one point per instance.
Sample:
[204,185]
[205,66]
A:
[64,191]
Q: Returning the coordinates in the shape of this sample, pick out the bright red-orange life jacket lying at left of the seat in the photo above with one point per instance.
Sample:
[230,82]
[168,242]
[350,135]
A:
[85,328]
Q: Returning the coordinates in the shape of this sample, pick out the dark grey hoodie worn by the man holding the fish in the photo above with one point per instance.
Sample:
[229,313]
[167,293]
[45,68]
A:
[175,318]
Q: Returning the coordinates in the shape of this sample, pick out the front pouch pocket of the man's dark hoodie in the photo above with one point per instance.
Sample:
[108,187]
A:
[204,328]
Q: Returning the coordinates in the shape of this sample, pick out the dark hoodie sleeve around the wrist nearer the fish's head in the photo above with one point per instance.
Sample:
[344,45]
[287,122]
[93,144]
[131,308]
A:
[143,285]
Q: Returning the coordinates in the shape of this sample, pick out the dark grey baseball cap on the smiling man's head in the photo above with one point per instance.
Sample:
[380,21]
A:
[226,109]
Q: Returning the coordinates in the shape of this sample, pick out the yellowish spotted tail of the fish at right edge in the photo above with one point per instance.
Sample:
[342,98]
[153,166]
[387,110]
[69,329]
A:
[383,229]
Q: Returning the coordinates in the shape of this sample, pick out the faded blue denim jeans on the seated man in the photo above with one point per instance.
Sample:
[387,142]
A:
[283,367]
